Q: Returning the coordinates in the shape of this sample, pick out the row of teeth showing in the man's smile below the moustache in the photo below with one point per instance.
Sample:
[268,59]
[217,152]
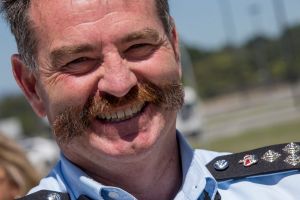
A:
[121,114]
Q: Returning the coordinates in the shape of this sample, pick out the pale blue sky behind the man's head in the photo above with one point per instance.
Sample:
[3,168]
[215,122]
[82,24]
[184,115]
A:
[200,23]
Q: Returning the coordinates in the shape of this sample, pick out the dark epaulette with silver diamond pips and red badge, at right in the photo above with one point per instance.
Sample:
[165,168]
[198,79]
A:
[265,160]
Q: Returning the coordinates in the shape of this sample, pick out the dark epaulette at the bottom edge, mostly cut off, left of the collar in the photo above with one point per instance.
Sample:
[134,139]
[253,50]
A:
[50,195]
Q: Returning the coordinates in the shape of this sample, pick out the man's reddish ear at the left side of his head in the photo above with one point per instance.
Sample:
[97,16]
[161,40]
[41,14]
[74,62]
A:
[27,81]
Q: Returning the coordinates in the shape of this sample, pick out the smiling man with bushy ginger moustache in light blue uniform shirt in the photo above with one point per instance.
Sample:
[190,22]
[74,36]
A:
[107,73]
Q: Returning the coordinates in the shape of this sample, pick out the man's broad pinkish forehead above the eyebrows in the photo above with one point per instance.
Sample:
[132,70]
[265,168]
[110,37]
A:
[66,22]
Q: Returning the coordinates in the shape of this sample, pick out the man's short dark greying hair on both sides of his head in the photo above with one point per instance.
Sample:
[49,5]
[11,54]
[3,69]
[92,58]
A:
[16,14]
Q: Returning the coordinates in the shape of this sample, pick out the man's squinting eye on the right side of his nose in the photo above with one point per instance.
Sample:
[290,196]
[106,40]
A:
[140,51]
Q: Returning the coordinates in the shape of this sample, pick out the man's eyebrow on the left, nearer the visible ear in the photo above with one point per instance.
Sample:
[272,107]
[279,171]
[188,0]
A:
[57,54]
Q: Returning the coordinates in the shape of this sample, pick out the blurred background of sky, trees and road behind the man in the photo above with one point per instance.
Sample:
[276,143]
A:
[240,65]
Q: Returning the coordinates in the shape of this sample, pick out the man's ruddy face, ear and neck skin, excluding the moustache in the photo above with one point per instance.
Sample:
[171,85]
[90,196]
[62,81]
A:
[99,48]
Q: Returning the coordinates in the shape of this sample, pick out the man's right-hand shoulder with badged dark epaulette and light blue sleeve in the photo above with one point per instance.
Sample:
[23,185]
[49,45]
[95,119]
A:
[270,172]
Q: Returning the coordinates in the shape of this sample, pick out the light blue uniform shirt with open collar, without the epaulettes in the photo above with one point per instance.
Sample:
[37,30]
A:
[66,177]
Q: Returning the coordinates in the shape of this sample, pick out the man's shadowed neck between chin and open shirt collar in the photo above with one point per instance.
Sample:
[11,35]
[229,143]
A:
[157,176]
